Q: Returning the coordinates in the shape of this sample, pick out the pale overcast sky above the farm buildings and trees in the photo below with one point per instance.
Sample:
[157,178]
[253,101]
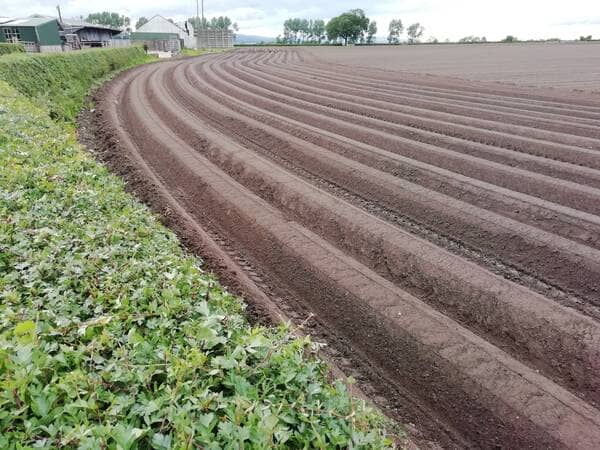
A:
[442,19]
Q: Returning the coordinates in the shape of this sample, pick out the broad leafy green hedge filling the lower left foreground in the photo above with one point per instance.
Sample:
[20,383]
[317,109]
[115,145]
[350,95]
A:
[112,337]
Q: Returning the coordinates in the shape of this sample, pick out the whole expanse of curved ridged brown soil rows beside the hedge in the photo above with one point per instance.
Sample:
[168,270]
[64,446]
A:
[446,237]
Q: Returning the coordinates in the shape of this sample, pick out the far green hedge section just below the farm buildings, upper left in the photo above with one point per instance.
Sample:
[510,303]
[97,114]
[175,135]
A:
[60,81]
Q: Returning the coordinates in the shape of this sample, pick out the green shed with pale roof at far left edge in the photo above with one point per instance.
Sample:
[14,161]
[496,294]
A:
[36,33]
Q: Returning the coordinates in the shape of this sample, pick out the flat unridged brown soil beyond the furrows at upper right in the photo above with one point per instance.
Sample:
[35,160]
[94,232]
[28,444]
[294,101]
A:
[565,65]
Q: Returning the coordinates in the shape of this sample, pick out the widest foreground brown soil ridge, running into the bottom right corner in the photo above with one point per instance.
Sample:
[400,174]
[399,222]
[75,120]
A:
[411,323]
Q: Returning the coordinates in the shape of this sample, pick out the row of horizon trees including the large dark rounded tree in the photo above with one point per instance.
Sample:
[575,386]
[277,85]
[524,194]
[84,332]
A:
[351,27]
